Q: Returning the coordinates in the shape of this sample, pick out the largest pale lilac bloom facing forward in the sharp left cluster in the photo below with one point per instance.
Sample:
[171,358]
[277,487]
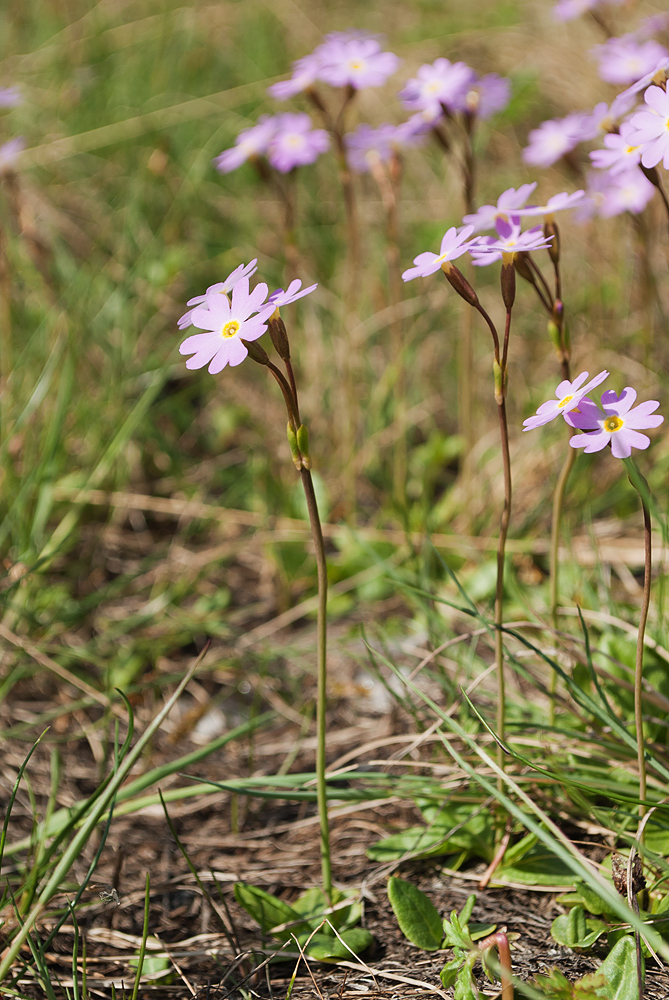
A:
[227,323]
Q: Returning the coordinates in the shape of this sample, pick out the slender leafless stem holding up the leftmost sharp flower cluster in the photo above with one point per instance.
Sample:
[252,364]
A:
[321,695]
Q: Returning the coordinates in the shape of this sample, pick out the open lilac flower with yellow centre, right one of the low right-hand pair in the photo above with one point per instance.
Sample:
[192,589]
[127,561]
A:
[618,424]
